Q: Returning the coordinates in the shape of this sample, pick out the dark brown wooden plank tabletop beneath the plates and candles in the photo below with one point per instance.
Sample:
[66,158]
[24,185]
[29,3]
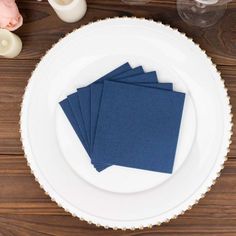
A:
[24,208]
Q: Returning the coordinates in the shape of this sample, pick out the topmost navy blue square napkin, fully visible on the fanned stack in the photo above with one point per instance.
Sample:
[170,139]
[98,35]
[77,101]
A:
[138,127]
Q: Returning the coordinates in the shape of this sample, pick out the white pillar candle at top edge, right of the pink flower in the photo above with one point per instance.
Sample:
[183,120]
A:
[69,10]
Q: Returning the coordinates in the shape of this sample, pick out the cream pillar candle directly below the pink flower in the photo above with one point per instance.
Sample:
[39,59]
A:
[10,44]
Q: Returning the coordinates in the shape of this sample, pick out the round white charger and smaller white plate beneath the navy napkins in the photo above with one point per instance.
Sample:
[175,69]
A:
[124,197]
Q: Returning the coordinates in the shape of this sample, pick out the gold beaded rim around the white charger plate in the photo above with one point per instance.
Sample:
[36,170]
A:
[207,188]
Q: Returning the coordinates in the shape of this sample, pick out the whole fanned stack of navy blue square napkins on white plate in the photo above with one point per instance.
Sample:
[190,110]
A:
[127,118]
